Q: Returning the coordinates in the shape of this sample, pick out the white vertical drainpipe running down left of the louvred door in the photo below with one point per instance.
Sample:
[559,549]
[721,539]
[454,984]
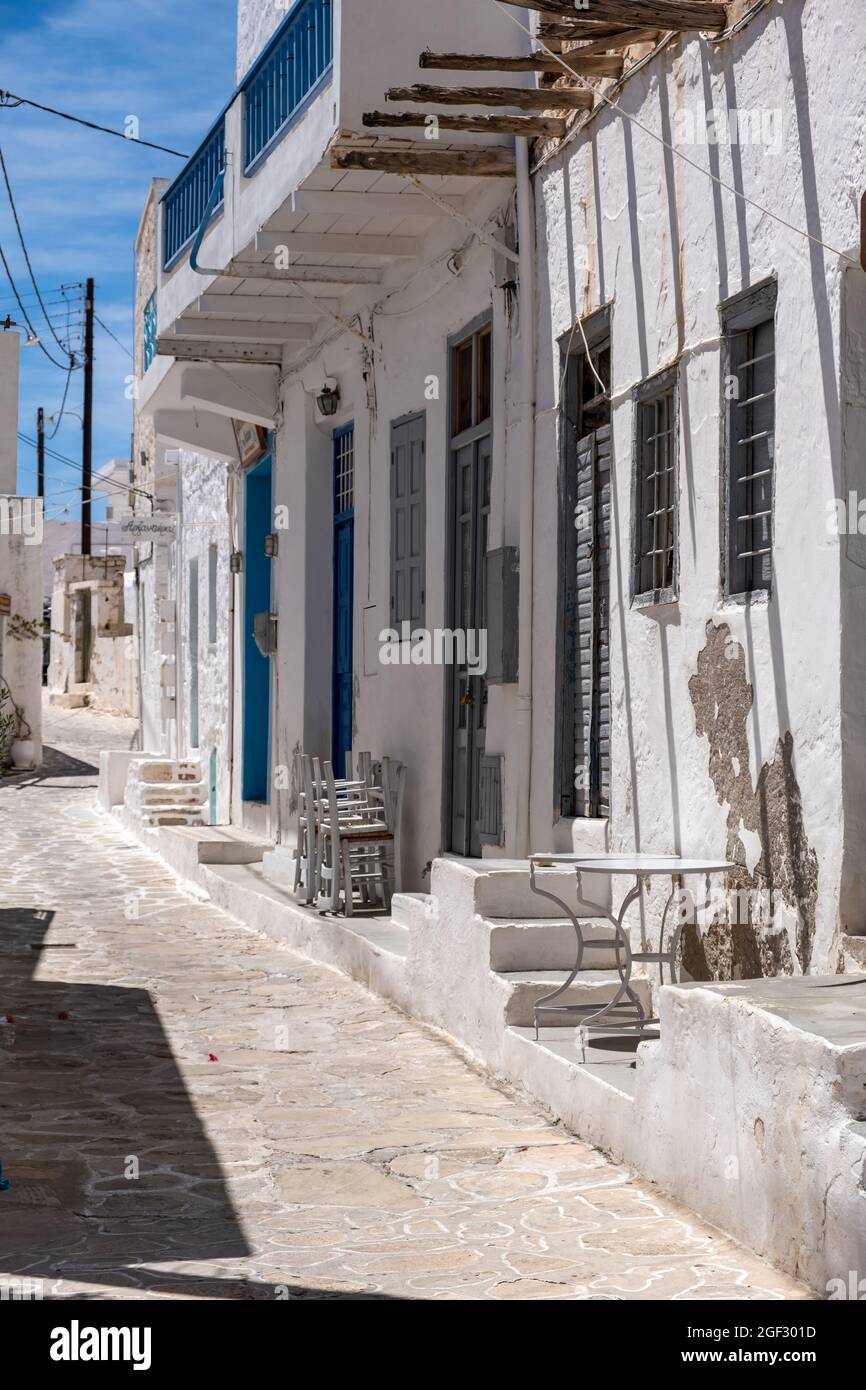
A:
[526,434]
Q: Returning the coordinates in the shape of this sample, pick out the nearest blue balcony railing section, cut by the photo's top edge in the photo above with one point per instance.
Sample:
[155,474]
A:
[286,76]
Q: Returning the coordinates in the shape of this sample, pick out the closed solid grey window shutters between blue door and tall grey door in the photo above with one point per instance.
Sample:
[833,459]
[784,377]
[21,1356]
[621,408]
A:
[408,521]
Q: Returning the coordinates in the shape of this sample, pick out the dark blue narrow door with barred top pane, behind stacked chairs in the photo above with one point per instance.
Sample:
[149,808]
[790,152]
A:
[344,608]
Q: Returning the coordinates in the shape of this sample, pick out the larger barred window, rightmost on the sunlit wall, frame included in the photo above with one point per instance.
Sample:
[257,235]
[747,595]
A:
[750,337]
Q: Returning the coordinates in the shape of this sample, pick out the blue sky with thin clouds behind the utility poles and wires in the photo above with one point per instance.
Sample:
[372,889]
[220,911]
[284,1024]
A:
[80,194]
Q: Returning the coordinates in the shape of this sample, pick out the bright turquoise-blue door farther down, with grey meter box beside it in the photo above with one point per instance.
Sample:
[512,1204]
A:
[255,782]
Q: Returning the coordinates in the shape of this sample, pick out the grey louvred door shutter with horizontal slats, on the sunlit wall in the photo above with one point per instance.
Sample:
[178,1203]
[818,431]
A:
[593,655]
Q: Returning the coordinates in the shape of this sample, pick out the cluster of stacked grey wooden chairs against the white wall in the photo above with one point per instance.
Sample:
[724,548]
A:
[348,833]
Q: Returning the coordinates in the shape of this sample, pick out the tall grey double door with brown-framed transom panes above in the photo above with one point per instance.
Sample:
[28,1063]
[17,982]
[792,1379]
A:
[472,448]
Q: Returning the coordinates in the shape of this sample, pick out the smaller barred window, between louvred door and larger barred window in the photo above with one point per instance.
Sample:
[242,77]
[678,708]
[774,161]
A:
[655,490]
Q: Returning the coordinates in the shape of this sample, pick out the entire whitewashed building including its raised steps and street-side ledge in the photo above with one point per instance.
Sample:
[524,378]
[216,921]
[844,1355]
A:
[585,387]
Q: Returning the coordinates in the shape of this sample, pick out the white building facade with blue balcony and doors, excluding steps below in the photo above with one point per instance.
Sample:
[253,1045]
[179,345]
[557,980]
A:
[450,391]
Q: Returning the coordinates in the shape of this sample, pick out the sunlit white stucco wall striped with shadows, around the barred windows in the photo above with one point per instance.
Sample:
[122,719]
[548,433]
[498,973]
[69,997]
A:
[625,223]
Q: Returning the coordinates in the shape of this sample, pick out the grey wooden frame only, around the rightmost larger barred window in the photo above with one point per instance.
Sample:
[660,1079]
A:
[743,313]
